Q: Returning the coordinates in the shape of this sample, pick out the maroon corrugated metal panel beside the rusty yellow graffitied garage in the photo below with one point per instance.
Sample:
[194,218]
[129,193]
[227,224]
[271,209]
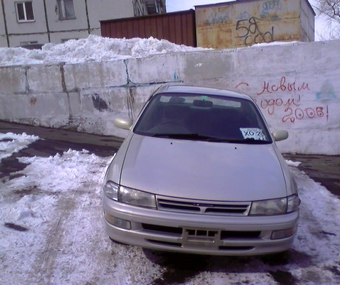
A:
[178,27]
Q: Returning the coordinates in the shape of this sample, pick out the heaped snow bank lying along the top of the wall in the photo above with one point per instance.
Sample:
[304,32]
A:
[93,48]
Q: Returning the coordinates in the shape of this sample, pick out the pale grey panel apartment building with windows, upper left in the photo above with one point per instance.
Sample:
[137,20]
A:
[36,22]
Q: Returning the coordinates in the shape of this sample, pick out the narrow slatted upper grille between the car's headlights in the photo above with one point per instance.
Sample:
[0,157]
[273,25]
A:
[203,207]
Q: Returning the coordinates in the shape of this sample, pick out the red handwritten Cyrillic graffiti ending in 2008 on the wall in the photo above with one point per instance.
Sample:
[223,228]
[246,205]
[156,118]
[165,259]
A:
[284,99]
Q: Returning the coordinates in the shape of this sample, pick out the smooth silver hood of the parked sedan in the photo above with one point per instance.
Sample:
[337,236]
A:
[203,170]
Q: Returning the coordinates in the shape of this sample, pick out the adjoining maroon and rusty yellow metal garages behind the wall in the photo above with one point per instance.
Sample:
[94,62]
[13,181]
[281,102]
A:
[238,23]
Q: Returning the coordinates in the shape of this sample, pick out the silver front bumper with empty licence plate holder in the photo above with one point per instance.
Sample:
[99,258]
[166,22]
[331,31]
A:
[199,233]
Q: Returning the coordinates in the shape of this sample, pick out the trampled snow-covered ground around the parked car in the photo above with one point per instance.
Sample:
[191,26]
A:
[52,232]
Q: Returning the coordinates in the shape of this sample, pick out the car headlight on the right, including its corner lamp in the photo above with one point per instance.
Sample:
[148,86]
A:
[275,206]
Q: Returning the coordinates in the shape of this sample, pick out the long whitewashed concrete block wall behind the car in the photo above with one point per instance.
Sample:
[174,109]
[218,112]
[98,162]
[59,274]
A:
[296,86]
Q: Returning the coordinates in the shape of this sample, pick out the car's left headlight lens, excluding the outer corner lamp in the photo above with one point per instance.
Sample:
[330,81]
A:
[136,197]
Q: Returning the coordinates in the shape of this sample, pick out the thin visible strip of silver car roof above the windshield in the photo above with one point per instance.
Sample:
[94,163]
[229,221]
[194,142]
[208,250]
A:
[202,90]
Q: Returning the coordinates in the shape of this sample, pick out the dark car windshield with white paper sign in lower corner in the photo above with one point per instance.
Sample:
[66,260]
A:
[203,117]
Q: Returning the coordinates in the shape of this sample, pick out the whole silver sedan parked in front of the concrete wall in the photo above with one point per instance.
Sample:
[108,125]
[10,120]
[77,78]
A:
[200,173]
